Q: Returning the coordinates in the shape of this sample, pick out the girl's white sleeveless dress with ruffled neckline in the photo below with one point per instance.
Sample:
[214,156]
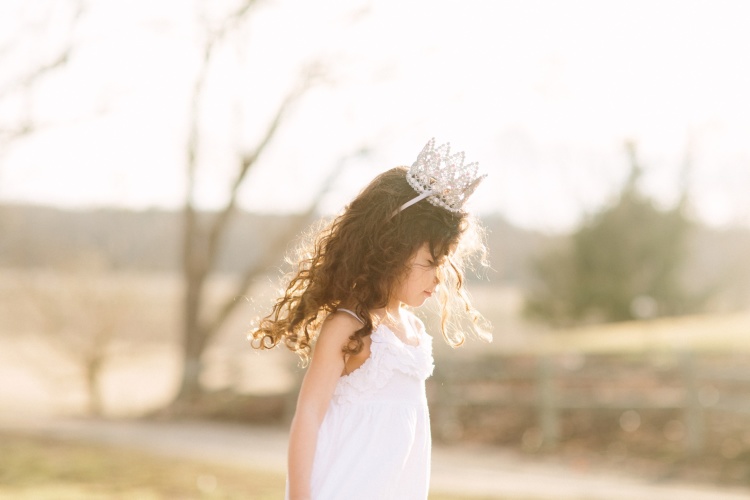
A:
[374,442]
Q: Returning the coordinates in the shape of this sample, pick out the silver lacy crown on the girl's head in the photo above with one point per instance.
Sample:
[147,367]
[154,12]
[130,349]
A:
[442,178]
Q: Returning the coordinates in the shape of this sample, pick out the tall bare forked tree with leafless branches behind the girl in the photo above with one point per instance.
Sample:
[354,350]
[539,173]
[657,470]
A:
[203,233]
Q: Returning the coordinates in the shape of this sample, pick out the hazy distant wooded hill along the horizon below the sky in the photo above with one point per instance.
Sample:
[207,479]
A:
[37,236]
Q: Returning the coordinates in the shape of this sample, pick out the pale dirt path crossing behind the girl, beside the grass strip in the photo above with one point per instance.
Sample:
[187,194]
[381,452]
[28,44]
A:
[461,470]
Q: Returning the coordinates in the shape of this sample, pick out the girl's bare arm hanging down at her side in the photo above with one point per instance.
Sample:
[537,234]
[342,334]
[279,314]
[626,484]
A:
[325,368]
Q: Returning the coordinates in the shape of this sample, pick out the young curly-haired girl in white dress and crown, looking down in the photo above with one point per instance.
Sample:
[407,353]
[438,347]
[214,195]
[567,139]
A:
[361,429]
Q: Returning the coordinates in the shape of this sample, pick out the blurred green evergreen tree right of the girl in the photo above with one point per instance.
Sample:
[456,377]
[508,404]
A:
[623,263]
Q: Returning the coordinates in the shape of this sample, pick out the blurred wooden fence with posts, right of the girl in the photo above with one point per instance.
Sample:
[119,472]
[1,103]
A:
[690,384]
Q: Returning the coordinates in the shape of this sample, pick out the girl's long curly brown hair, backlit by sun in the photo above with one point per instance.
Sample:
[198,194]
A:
[356,260]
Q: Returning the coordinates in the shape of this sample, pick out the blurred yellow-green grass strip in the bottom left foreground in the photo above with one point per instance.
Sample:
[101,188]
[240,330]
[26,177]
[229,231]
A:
[33,468]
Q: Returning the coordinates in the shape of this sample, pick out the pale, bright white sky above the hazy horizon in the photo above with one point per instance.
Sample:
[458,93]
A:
[542,93]
